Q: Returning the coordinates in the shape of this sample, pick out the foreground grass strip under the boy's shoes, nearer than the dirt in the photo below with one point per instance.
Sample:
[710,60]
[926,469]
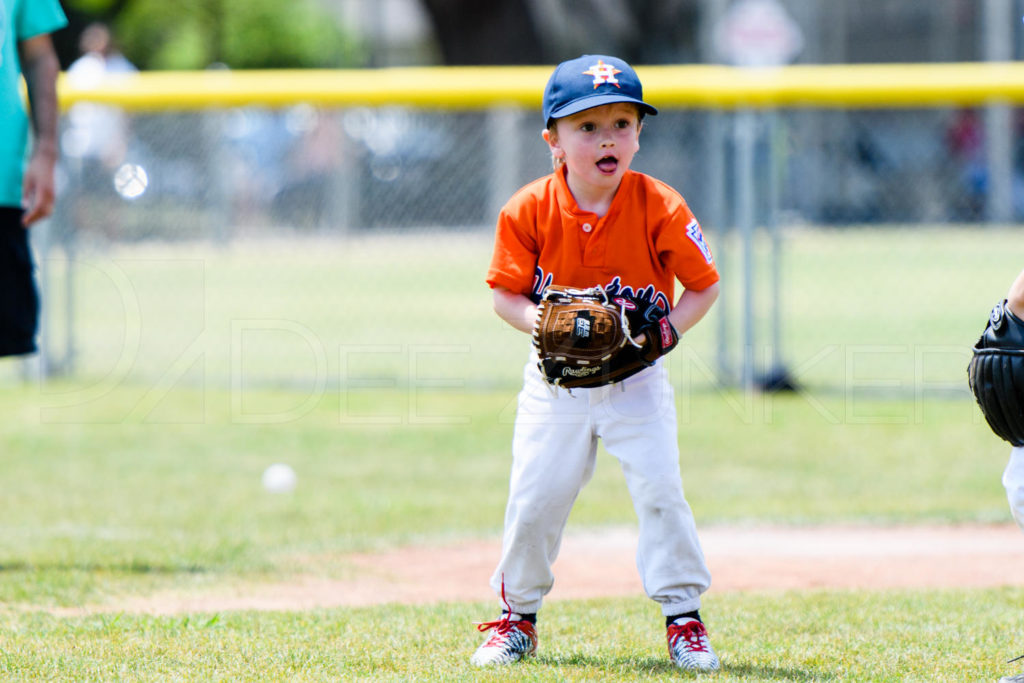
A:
[814,636]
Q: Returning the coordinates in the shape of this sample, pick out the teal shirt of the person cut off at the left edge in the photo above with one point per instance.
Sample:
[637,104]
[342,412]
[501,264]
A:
[20,20]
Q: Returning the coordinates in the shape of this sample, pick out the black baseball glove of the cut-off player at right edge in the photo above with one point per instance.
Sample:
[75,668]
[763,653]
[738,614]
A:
[996,374]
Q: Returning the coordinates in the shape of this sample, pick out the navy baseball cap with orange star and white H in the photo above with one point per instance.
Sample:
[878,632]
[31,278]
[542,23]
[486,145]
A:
[591,81]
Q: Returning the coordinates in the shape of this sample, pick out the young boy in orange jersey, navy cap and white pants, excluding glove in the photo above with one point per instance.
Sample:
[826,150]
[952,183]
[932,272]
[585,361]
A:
[594,222]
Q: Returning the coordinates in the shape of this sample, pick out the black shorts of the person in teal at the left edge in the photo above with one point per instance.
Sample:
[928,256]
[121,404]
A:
[19,296]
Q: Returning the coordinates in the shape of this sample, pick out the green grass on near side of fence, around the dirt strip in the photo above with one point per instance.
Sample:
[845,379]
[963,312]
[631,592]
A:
[98,513]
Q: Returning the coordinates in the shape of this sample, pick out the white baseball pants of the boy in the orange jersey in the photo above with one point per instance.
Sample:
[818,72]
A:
[554,452]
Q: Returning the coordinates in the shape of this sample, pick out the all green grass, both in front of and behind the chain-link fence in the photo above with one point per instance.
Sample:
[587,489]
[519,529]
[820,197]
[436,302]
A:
[144,475]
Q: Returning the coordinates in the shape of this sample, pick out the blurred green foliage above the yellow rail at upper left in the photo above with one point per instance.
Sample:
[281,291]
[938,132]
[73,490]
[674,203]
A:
[196,34]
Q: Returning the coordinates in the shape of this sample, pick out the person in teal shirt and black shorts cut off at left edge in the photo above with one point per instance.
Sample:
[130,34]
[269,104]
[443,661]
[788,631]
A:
[27,183]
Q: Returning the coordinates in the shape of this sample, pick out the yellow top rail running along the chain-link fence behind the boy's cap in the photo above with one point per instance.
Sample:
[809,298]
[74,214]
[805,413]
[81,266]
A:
[708,87]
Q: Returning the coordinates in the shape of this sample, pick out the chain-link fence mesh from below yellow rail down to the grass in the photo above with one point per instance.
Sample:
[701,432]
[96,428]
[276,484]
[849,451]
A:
[310,247]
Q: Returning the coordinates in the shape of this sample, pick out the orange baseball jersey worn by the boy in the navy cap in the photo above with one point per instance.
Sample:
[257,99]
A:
[647,241]
